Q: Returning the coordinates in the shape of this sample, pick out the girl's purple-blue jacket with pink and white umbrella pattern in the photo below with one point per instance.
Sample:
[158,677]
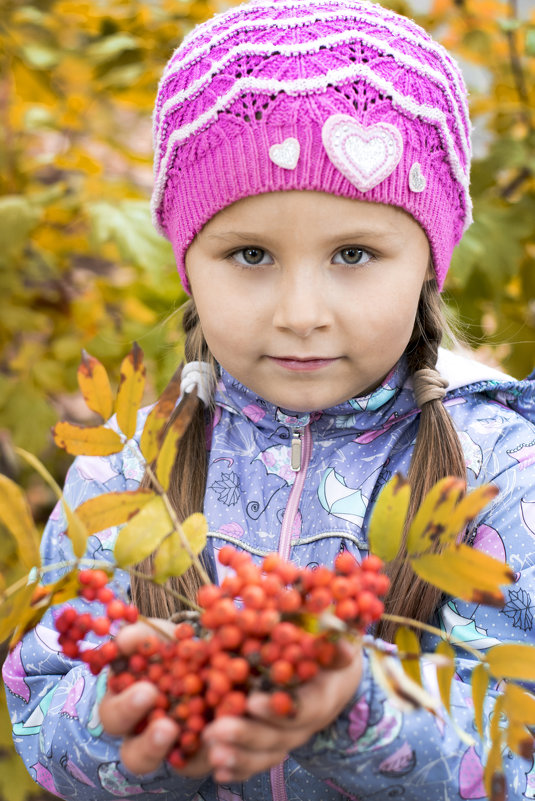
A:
[255,500]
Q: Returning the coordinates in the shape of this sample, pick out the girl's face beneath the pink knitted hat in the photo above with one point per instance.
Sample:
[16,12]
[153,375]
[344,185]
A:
[307,298]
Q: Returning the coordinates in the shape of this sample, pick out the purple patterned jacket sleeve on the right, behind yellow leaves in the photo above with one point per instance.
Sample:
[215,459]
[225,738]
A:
[375,750]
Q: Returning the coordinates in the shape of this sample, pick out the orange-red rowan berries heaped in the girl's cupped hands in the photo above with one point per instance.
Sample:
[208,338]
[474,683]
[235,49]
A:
[269,627]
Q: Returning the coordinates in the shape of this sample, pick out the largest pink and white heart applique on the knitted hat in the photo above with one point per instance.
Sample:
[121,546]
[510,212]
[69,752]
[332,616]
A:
[365,155]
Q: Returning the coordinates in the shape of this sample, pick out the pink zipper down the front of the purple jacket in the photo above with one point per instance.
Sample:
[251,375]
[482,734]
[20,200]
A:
[301,451]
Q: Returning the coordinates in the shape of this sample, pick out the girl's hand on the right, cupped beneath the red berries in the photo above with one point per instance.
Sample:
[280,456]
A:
[238,748]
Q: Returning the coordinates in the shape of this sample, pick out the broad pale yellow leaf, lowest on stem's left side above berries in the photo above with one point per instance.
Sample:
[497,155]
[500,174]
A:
[143,534]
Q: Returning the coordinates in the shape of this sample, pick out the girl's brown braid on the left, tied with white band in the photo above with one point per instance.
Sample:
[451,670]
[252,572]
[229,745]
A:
[187,487]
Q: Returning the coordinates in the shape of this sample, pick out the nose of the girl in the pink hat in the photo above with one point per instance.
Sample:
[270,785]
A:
[302,302]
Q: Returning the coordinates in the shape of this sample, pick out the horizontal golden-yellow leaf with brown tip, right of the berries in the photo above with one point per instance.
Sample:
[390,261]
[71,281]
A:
[465,573]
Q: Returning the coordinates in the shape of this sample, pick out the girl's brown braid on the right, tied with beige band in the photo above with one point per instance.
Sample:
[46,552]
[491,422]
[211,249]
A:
[437,453]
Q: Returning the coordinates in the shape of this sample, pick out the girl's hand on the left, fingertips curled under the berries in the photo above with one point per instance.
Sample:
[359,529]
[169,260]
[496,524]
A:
[120,713]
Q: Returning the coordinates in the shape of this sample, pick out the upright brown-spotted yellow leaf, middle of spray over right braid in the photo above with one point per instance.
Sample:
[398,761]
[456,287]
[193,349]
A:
[434,513]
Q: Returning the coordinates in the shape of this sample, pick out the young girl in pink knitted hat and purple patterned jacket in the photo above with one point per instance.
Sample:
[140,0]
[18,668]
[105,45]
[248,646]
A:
[312,163]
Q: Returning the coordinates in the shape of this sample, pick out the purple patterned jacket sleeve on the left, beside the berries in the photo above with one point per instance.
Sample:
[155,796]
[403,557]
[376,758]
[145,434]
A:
[53,701]
